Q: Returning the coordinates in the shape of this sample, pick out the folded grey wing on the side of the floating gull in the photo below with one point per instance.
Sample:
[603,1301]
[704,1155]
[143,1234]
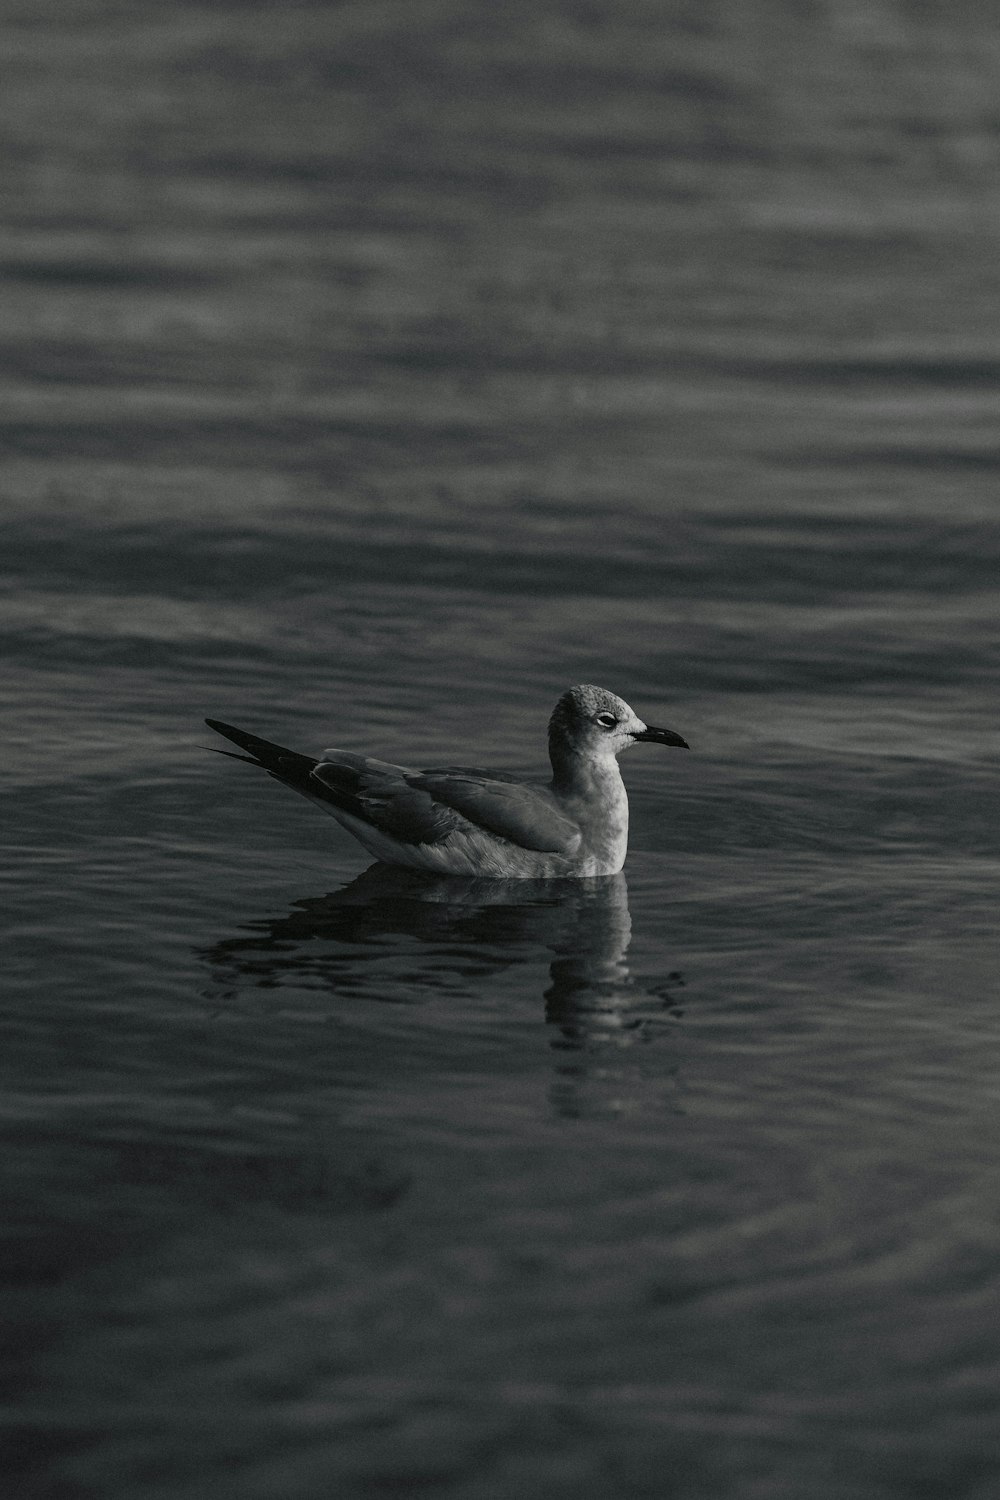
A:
[428,806]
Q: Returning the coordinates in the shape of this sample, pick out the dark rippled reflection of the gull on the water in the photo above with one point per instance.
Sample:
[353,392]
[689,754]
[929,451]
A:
[475,928]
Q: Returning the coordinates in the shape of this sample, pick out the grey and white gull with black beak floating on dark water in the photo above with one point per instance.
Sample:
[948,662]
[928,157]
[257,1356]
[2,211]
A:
[473,823]
